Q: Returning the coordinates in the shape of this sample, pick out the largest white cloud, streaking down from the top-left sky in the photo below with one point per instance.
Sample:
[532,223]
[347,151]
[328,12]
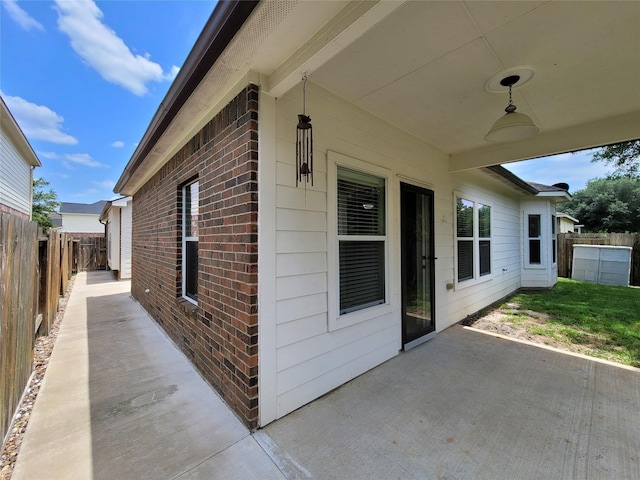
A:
[104,51]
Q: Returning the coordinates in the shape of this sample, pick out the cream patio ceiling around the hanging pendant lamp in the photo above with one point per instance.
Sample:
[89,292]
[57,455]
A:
[423,67]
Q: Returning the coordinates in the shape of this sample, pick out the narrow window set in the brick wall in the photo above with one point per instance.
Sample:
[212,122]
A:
[190,216]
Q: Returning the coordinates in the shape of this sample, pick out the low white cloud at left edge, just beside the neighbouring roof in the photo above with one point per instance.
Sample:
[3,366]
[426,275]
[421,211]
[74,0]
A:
[38,122]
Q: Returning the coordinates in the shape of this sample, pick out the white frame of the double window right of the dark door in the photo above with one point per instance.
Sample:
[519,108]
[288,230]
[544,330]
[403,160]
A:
[476,239]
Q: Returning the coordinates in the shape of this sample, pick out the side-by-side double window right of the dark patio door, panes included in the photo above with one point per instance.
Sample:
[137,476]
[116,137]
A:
[473,239]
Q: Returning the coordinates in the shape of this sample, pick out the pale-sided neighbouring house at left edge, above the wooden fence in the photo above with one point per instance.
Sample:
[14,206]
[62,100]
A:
[17,161]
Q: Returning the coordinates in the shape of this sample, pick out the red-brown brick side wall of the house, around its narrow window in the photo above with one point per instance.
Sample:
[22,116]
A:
[220,335]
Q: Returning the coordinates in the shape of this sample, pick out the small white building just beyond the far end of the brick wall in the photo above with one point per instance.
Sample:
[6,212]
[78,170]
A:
[116,216]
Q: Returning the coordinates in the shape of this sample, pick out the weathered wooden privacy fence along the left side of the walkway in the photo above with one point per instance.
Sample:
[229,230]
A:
[34,272]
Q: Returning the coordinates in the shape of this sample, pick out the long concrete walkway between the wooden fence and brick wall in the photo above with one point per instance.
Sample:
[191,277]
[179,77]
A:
[119,401]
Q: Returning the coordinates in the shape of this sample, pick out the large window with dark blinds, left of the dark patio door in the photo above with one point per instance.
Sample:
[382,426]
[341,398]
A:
[362,239]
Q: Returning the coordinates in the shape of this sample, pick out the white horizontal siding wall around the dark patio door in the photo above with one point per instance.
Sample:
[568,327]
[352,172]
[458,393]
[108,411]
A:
[307,348]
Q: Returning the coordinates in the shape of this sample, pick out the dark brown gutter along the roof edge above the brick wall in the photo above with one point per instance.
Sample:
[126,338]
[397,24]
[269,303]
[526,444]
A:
[223,24]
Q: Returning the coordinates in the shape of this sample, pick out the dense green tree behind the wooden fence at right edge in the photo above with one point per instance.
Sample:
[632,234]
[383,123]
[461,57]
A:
[607,205]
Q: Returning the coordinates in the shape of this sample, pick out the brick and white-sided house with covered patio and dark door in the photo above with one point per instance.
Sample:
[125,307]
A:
[280,290]
